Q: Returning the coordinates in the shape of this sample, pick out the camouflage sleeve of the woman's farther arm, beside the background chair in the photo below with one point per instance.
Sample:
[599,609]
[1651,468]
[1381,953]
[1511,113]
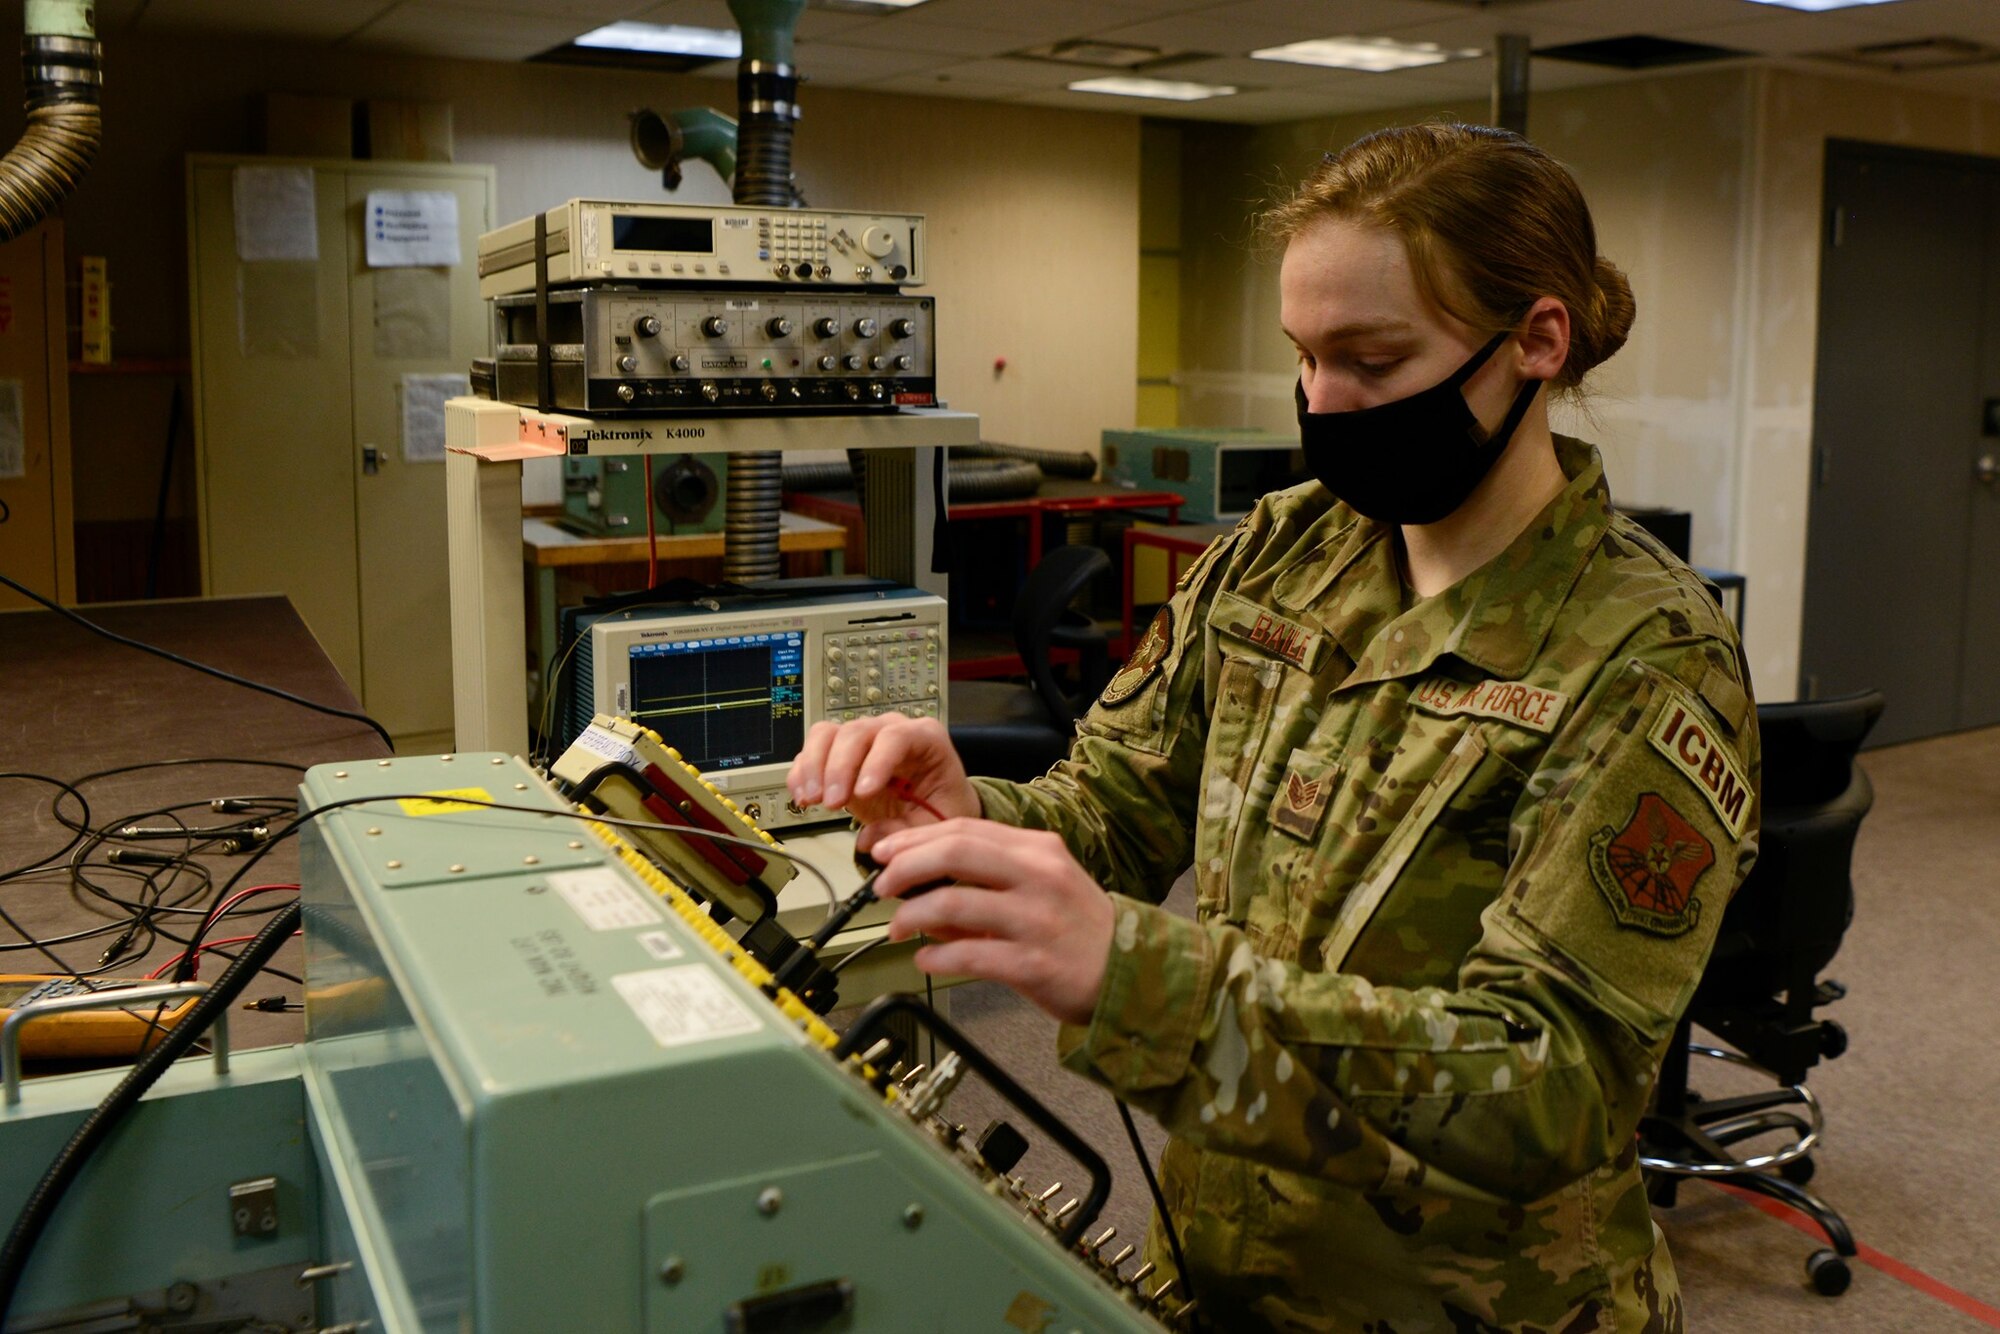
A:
[1123,799]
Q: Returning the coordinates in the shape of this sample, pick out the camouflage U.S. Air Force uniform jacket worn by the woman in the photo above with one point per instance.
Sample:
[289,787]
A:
[1459,865]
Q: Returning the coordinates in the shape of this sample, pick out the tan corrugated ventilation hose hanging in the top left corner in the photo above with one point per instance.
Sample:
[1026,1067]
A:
[61,69]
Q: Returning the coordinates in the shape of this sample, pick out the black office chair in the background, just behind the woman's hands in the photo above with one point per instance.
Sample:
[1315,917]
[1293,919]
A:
[1013,731]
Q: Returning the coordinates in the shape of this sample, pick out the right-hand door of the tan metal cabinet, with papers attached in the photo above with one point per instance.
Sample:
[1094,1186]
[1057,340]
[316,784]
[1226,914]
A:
[409,323]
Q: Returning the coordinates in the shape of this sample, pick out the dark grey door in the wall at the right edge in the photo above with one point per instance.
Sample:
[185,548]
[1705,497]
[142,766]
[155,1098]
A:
[1903,545]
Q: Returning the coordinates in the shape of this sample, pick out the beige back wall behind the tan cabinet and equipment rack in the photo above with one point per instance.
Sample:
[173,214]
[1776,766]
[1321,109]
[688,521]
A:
[1033,213]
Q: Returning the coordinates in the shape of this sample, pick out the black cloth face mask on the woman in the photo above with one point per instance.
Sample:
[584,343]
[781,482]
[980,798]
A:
[1411,461]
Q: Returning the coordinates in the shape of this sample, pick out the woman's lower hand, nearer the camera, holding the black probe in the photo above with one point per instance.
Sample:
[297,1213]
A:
[1015,909]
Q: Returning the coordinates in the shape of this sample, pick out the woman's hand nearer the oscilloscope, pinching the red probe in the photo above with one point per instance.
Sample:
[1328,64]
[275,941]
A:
[875,769]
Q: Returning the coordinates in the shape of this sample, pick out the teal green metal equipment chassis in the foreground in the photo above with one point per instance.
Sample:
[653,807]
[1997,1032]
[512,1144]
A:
[543,1093]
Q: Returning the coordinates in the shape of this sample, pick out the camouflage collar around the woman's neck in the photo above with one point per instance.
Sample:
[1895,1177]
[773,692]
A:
[1499,617]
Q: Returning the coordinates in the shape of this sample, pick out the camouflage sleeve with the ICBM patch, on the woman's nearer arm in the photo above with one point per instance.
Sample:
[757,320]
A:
[1539,1063]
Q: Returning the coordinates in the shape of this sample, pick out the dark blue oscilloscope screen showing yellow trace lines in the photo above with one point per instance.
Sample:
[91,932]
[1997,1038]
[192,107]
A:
[725,703]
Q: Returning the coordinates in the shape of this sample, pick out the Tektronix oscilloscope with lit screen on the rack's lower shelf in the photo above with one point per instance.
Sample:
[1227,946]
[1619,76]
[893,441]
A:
[735,683]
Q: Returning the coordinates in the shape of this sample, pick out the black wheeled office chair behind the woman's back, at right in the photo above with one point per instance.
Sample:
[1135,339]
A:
[1763,985]
